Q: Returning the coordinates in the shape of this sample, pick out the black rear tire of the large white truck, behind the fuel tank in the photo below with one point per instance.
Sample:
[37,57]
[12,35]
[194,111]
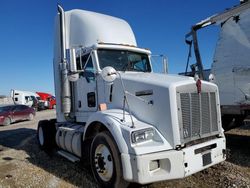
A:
[46,132]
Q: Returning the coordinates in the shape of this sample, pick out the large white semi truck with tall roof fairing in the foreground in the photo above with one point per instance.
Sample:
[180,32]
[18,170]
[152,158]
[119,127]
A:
[131,124]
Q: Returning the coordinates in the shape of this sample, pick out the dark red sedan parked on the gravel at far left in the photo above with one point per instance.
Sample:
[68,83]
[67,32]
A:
[13,113]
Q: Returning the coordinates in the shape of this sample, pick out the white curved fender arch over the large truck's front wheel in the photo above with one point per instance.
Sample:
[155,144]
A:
[111,119]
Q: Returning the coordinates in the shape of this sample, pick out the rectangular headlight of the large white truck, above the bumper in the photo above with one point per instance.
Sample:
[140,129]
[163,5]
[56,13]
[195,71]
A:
[142,135]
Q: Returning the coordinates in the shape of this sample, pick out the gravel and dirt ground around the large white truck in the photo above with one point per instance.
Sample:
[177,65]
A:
[23,164]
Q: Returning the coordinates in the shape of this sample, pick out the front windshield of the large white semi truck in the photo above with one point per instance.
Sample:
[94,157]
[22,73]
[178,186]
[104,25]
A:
[123,60]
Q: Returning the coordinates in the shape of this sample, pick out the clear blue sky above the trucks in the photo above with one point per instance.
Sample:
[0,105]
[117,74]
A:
[26,34]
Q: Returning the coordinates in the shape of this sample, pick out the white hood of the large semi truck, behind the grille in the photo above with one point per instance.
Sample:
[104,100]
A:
[152,99]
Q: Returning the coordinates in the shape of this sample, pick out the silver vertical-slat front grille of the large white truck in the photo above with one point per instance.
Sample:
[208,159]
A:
[197,114]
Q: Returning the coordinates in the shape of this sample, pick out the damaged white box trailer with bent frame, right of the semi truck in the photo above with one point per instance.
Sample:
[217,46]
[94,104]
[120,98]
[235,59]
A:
[230,67]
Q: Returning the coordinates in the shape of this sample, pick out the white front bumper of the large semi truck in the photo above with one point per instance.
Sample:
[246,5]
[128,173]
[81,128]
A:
[173,164]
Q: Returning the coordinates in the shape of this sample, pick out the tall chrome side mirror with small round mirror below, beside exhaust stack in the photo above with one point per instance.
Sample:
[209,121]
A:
[71,56]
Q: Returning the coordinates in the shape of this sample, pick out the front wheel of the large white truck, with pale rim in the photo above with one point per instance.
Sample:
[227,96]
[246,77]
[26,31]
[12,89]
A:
[105,161]
